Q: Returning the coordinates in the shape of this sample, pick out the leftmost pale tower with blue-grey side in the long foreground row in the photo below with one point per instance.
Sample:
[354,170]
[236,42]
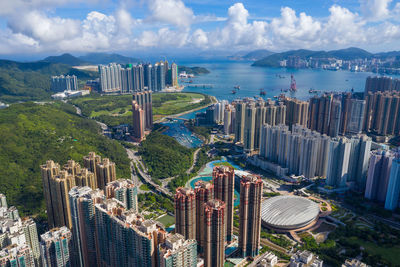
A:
[82,201]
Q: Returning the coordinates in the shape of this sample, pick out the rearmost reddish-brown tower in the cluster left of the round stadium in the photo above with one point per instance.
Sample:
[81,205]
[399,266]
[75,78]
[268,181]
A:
[224,185]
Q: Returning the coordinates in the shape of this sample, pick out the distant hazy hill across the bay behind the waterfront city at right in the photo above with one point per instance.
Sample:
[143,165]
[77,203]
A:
[344,54]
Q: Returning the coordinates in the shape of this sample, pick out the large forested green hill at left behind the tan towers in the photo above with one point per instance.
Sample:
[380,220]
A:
[32,134]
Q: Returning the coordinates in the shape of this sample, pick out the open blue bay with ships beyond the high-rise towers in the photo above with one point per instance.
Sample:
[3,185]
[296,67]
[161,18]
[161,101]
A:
[224,75]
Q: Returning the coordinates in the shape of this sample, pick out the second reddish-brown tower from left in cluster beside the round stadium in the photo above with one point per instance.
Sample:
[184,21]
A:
[204,191]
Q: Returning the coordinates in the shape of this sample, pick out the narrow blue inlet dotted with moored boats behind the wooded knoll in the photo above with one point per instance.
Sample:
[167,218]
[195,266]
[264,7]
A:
[182,134]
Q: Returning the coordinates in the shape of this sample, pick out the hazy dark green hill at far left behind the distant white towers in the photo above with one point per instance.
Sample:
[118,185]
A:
[31,81]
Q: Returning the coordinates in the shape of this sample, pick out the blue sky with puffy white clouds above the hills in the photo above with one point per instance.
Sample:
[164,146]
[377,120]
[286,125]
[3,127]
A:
[80,26]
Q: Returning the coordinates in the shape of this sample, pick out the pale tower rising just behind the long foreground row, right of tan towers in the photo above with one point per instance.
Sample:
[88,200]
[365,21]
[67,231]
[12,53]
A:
[125,191]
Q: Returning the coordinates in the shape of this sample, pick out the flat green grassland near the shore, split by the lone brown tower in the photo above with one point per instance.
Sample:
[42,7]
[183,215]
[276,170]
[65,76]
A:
[115,110]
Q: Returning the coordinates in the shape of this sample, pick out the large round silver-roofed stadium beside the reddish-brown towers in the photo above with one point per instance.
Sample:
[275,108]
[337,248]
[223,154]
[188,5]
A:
[288,212]
